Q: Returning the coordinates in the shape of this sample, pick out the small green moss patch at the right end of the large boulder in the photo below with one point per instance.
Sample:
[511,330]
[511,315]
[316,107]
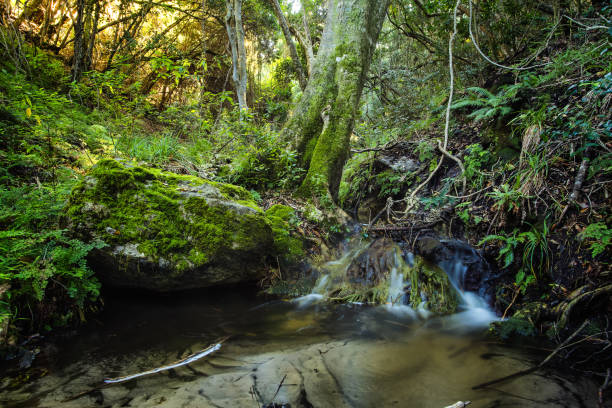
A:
[280,219]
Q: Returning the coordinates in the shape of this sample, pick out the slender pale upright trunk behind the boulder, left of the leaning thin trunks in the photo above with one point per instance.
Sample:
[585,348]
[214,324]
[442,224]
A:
[235,33]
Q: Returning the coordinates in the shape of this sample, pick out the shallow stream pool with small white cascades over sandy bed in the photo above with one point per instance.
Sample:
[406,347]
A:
[306,353]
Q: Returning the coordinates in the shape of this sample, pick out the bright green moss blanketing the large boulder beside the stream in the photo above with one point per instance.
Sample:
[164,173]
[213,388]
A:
[168,216]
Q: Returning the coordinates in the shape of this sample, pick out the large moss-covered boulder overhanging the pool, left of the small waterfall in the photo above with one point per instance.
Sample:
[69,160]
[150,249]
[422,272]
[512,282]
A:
[171,232]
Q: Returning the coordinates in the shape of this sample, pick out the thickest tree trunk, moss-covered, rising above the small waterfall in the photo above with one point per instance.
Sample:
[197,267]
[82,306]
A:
[322,122]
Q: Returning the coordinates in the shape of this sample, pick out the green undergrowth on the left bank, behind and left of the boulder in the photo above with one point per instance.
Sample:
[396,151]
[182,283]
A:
[53,130]
